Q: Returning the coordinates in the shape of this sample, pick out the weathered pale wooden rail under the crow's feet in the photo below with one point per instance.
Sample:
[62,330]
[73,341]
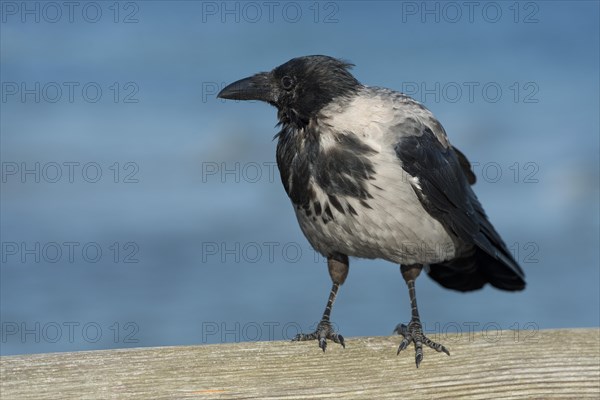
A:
[551,364]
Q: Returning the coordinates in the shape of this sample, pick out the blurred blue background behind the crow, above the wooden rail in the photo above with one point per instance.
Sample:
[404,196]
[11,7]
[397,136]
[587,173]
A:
[139,210]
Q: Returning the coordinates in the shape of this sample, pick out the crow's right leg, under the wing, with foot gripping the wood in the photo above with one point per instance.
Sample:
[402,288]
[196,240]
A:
[414,331]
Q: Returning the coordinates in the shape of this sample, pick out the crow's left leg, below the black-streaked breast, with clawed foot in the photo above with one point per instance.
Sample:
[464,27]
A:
[338,270]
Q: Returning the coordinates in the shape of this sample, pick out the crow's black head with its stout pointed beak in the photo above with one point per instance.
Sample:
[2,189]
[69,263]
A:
[299,88]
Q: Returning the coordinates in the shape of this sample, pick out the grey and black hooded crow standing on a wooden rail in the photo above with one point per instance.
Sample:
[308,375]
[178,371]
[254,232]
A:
[371,174]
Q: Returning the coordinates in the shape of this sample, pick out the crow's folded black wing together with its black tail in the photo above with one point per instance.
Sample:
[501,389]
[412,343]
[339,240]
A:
[444,189]
